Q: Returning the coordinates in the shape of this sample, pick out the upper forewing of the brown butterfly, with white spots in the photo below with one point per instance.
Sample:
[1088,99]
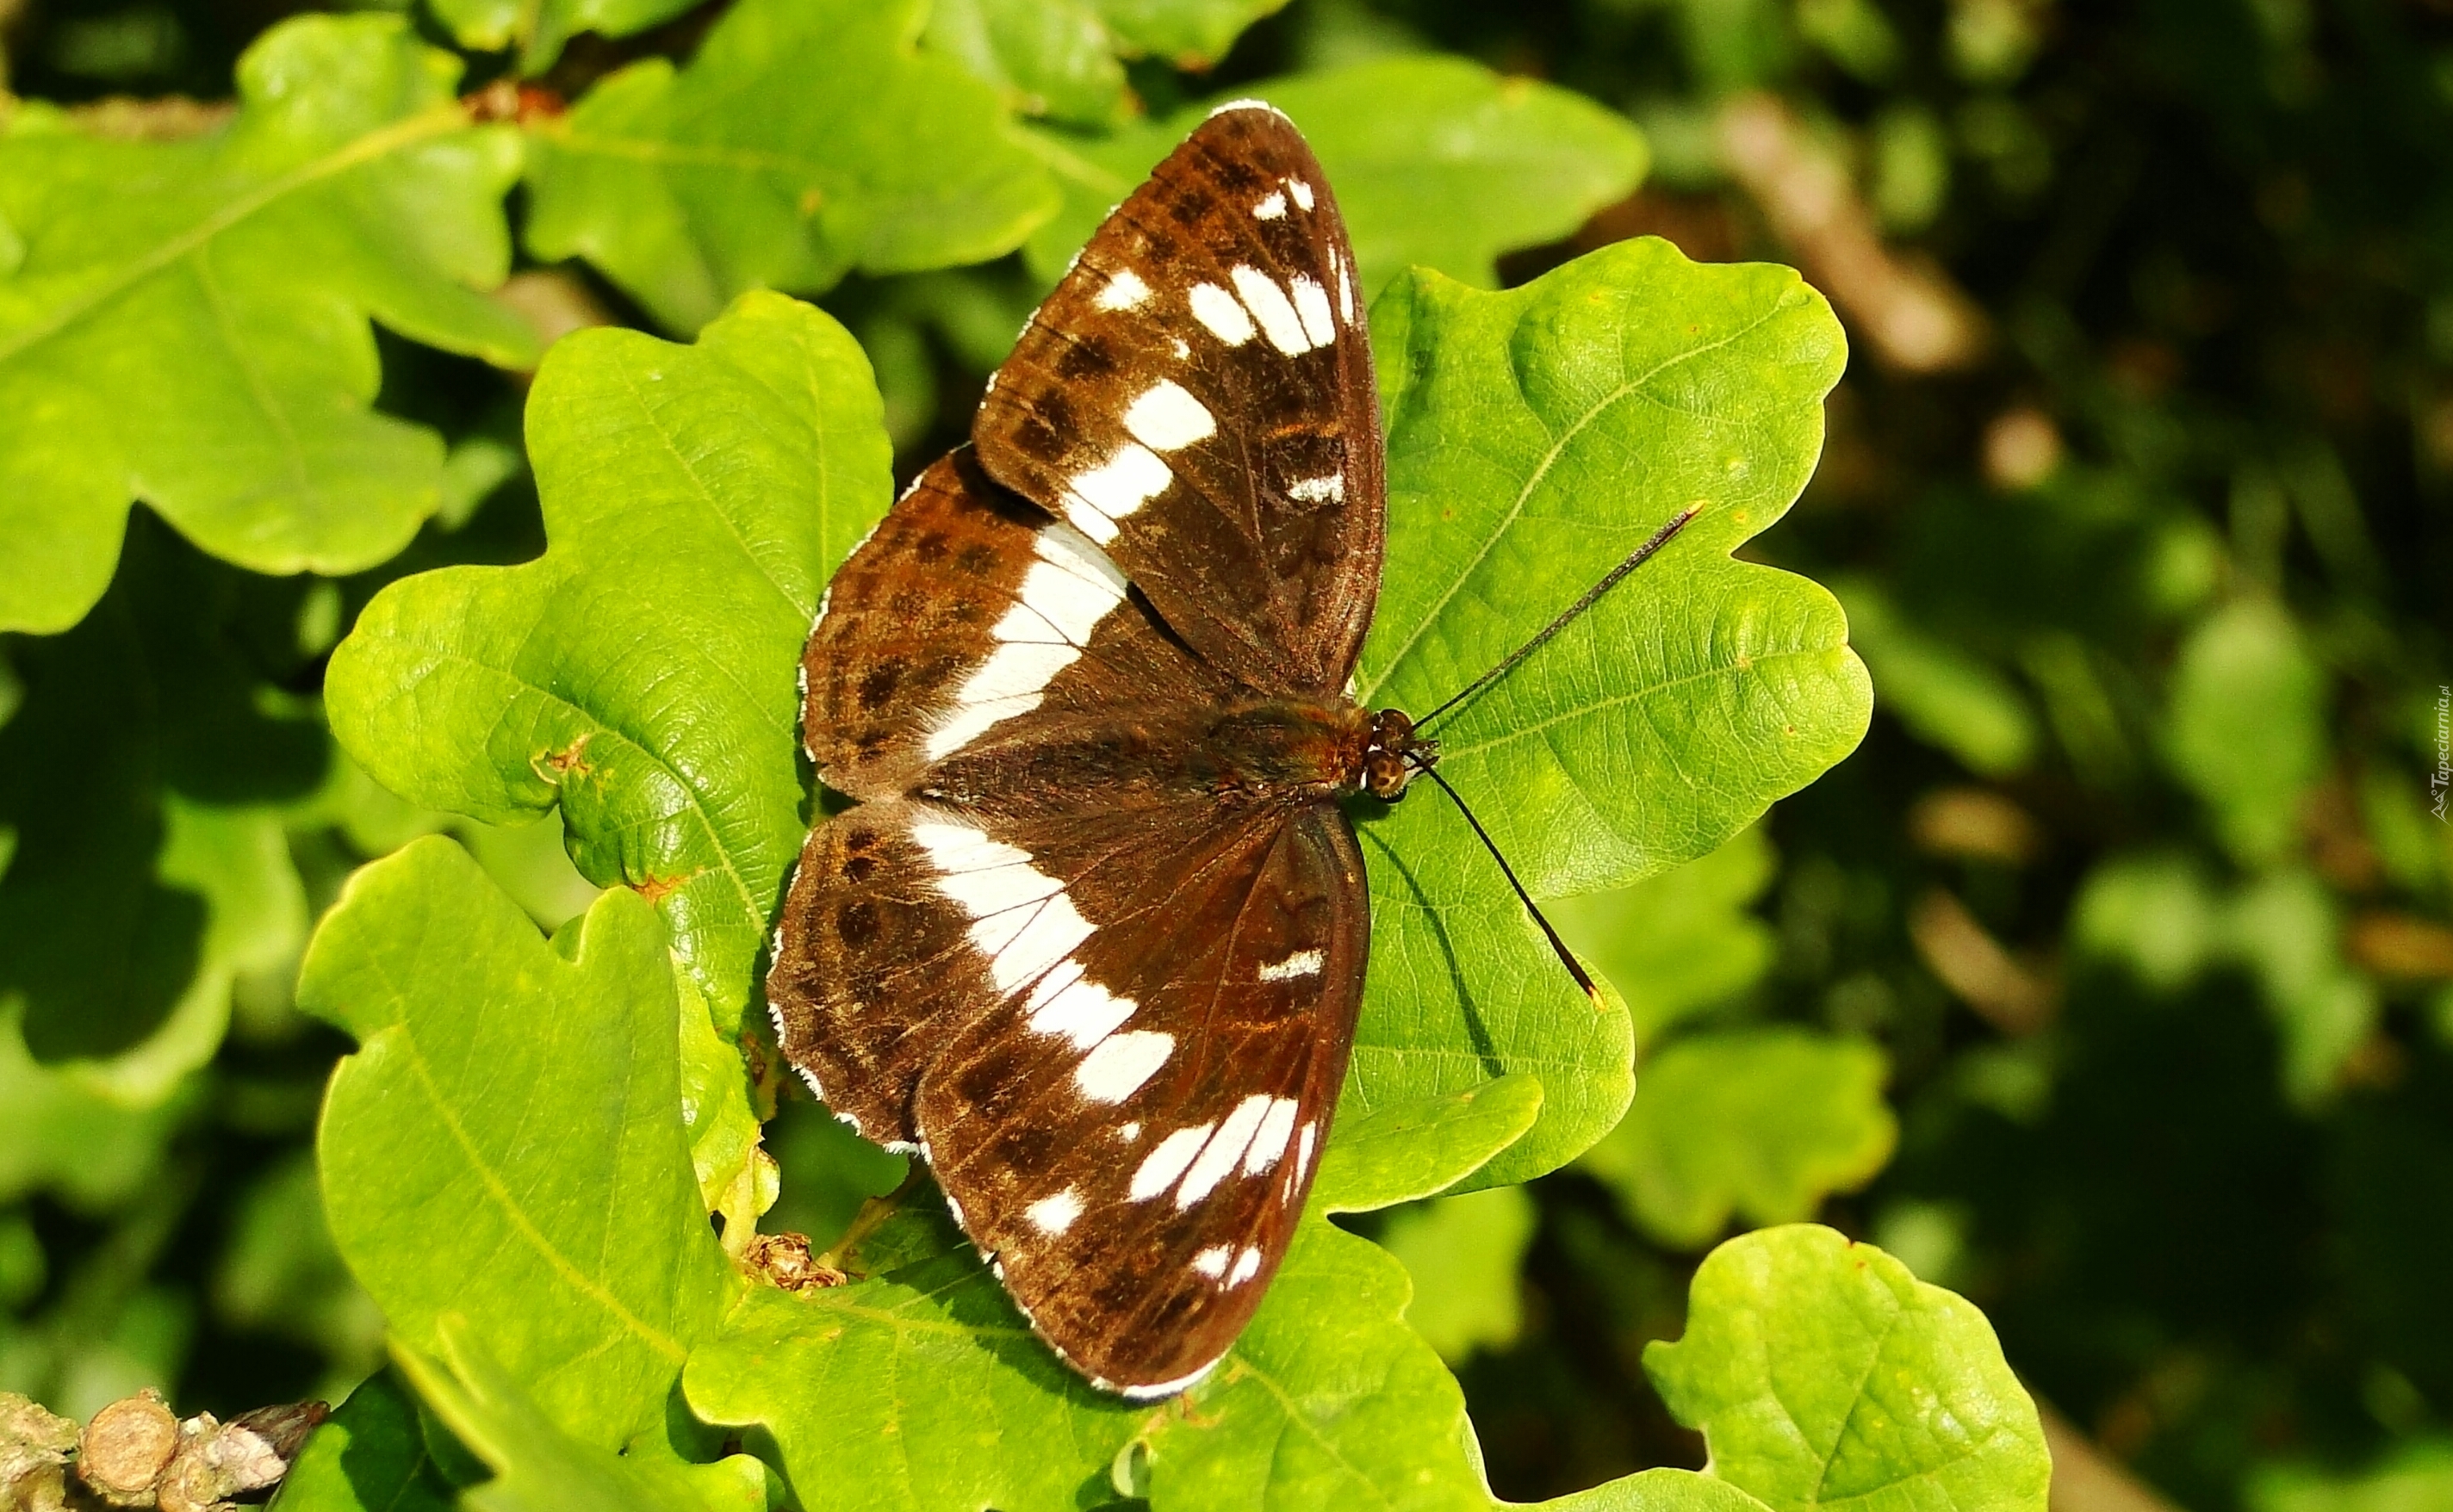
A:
[1196,396]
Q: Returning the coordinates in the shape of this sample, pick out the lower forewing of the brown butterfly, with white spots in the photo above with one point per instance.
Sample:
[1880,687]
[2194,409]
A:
[1132,1133]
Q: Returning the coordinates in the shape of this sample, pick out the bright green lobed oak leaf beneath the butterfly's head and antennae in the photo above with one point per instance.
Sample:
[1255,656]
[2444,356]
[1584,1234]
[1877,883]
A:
[1534,440]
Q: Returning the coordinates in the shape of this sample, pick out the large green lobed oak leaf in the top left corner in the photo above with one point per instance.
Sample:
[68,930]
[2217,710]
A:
[350,185]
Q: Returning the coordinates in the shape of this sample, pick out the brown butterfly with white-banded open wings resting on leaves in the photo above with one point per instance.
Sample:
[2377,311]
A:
[1093,935]
